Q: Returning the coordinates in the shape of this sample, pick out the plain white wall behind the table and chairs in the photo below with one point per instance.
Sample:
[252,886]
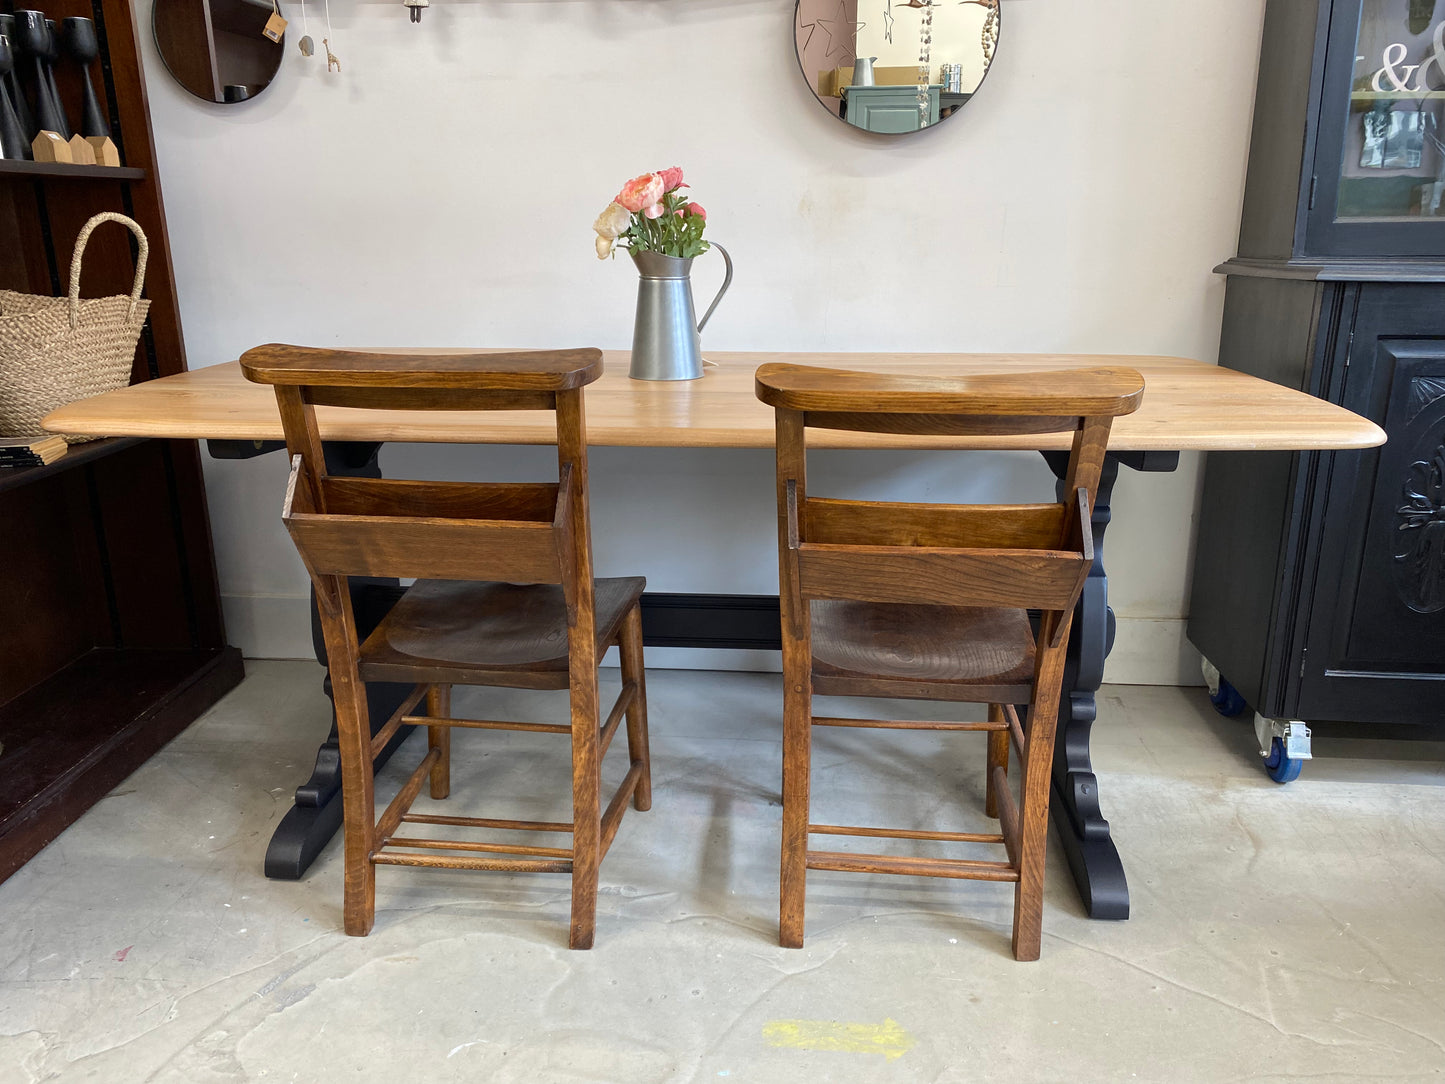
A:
[440,192]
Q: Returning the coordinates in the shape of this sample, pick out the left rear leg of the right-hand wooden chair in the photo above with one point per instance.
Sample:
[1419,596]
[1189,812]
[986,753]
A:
[797,760]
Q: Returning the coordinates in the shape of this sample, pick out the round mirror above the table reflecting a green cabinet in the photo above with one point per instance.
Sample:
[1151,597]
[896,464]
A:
[895,66]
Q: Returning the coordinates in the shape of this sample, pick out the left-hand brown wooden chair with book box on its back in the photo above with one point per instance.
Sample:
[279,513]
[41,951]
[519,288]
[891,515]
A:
[505,596]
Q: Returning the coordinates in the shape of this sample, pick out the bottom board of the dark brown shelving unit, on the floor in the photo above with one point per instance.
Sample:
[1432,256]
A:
[73,738]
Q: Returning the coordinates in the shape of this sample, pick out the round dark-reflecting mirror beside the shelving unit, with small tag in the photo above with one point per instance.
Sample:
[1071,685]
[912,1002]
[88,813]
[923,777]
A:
[219,50]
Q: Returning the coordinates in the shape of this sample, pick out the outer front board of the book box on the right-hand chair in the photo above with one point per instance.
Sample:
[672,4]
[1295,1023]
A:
[1028,579]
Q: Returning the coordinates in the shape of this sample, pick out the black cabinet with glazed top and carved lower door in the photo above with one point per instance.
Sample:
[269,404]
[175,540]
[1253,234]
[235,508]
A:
[1320,579]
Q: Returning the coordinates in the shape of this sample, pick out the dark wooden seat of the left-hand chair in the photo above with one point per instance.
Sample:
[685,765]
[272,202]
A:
[488,634]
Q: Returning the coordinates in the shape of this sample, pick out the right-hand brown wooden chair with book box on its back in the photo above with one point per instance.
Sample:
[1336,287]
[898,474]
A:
[931,602]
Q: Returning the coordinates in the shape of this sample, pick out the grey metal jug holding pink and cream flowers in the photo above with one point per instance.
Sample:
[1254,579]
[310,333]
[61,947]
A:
[668,336]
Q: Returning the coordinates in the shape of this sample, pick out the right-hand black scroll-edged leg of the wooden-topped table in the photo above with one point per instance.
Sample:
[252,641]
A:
[1093,858]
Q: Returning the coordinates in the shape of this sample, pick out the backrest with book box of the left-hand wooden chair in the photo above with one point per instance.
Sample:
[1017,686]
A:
[517,533]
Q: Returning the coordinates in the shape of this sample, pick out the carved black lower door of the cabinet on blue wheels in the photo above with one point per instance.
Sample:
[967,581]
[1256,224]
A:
[1376,638]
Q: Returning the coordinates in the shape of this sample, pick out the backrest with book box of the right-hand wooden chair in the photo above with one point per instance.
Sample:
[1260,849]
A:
[1018,556]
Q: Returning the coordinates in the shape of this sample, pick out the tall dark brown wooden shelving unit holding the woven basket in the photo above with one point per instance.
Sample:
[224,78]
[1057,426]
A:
[111,616]
